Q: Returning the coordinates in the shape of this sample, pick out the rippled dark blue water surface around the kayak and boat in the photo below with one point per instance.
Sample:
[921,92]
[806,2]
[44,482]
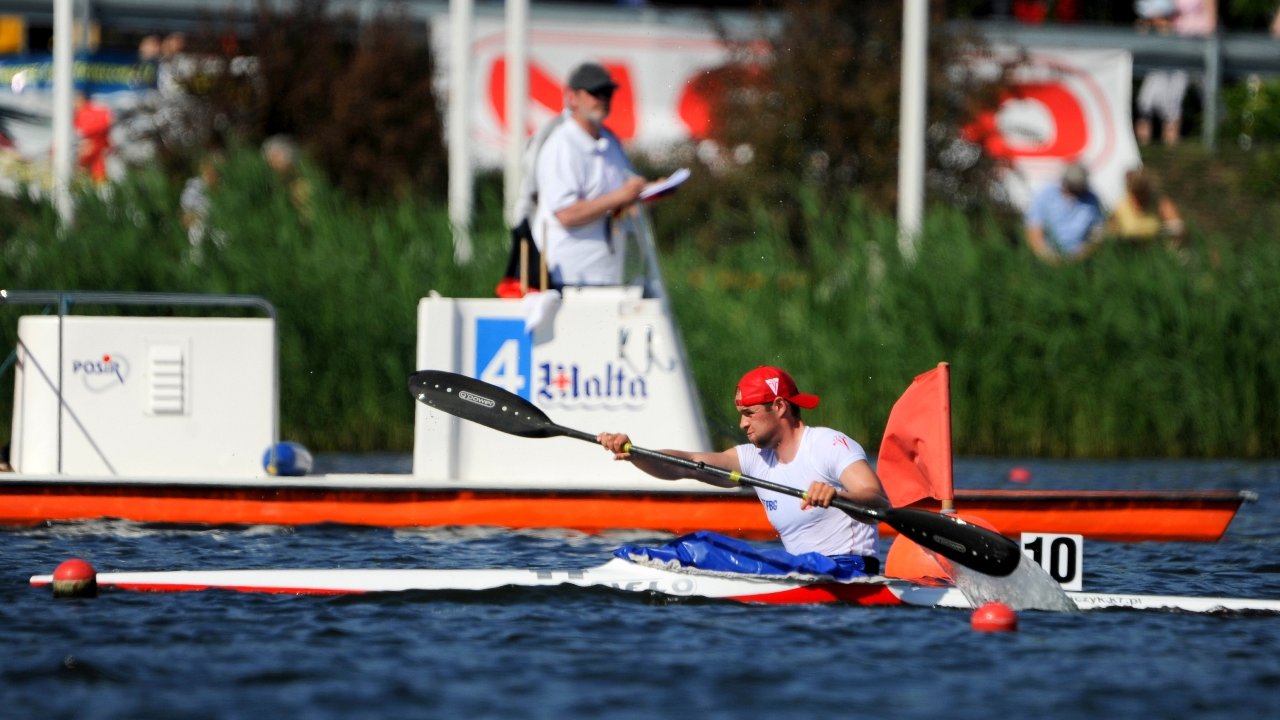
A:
[552,654]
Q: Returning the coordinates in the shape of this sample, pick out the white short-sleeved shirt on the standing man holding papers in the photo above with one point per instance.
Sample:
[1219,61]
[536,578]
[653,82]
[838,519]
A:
[573,166]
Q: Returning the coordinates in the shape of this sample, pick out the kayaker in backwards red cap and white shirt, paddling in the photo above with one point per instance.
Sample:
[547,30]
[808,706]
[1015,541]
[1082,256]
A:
[785,450]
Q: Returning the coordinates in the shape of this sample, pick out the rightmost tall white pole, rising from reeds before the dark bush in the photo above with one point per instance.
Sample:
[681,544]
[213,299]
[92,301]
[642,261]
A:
[911,160]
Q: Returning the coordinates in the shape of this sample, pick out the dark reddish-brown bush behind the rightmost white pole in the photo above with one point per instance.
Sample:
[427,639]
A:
[813,111]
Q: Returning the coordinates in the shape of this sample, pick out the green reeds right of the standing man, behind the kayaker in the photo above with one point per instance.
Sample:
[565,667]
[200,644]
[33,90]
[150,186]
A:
[1136,353]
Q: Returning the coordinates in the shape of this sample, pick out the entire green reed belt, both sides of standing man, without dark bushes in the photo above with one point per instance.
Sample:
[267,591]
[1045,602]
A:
[1136,353]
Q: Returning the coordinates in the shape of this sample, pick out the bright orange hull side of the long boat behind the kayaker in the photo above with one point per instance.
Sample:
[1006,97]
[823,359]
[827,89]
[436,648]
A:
[1144,517]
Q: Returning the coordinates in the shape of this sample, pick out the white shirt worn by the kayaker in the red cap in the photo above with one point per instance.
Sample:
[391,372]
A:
[824,455]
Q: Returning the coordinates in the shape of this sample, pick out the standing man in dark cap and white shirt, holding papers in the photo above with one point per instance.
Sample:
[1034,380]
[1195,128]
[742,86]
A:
[584,181]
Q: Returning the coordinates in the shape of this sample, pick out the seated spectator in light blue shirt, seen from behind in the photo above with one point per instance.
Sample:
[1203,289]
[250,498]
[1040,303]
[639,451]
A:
[1066,220]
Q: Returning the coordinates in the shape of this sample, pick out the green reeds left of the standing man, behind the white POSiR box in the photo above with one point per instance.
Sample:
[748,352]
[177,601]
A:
[345,282]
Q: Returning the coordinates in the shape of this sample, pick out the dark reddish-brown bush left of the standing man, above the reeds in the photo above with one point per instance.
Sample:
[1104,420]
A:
[359,97]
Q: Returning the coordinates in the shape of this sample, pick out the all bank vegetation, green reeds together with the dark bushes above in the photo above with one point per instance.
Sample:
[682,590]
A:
[781,250]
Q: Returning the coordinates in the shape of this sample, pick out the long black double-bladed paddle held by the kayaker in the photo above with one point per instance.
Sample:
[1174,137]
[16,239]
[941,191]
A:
[492,407]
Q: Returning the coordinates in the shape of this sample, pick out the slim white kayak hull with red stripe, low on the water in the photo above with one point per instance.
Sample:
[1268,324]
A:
[623,576]
